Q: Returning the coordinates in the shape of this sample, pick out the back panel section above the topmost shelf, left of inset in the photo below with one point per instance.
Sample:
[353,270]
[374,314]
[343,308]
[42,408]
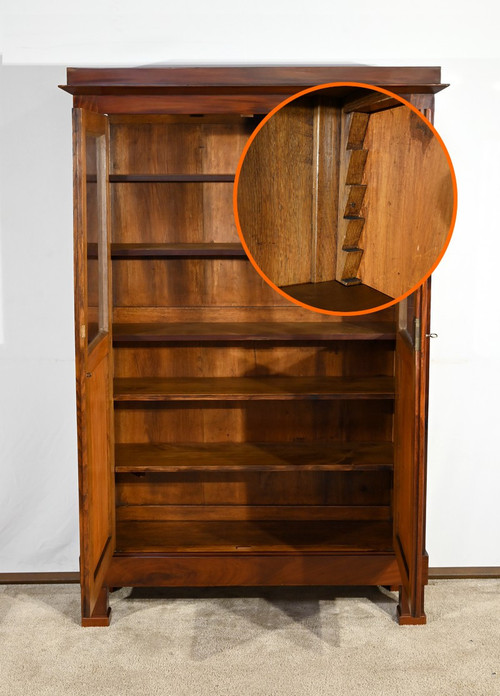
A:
[178,144]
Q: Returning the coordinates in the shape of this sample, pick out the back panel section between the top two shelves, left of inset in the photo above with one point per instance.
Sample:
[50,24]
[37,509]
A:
[172,212]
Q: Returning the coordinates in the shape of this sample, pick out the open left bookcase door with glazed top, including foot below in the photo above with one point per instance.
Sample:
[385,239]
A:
[94,371]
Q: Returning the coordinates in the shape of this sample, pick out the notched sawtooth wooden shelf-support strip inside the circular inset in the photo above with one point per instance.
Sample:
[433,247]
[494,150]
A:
[352,165]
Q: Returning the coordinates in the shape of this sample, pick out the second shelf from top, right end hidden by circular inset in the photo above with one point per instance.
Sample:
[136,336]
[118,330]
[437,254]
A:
[167,251]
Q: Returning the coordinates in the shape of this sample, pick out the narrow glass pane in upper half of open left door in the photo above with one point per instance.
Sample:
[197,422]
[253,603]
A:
[96,236]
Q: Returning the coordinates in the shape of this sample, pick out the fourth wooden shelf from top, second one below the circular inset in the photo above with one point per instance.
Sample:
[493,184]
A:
[252,388]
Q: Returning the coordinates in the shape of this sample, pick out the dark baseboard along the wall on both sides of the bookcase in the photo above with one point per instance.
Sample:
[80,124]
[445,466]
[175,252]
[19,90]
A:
[455,573]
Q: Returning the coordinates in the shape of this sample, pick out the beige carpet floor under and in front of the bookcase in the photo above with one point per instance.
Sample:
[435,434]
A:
[251,642]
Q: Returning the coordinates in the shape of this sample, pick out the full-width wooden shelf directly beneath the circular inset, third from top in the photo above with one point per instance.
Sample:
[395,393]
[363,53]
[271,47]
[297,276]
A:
[247,331]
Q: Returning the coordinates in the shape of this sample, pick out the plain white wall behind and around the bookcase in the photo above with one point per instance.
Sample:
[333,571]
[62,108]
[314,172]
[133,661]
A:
[38,503]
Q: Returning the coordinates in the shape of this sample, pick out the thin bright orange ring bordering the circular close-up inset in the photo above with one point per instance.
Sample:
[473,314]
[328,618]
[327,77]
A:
[237,178]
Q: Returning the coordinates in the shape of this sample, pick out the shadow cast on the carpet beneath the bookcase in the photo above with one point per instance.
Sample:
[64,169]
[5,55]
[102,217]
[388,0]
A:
[226,619]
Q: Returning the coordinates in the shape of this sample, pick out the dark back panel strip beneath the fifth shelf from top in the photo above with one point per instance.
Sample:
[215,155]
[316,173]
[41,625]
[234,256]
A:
[255,488]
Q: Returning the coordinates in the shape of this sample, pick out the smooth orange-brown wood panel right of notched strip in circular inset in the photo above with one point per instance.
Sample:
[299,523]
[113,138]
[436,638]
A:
[408,203]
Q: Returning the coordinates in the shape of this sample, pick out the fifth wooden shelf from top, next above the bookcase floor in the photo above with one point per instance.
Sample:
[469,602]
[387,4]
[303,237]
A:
[253,456]
